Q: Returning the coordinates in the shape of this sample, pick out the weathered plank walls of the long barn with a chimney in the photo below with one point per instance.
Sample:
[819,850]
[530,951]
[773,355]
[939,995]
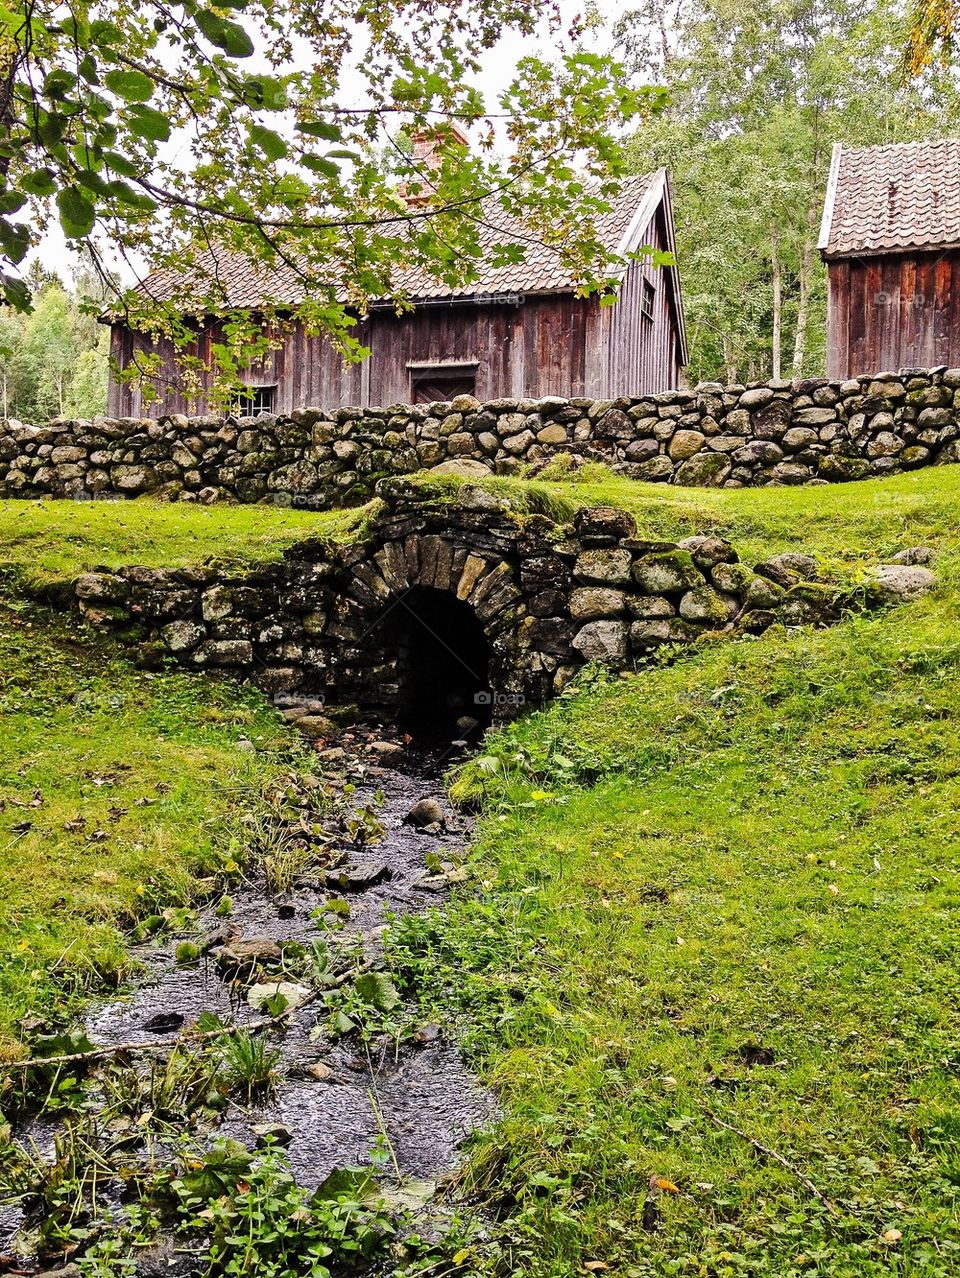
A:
[522,346]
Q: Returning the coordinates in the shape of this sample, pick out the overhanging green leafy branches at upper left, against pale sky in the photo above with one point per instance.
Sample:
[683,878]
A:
[172,135]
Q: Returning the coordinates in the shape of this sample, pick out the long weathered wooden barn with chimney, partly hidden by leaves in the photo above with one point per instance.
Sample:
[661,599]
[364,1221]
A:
[520,332]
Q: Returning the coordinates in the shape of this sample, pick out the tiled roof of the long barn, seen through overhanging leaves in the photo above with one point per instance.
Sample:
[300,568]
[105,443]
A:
[247,284]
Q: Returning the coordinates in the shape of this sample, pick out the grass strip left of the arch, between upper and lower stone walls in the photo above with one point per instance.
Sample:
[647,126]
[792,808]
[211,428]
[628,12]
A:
[58,540]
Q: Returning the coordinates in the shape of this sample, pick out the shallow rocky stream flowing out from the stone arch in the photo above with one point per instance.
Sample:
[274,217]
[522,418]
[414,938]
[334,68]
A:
[337,1098]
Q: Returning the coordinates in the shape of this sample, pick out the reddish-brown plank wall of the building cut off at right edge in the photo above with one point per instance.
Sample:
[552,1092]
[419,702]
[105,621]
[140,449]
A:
[894,311]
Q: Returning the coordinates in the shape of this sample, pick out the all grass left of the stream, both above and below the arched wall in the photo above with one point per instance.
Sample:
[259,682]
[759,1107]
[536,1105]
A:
[118,788]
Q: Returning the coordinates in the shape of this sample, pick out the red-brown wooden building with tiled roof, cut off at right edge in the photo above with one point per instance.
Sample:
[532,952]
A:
[892,242]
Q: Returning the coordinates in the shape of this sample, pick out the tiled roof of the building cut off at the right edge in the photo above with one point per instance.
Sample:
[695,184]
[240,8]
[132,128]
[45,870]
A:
[885,200]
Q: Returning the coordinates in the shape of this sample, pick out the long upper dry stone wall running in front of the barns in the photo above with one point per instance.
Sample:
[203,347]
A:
[733,436]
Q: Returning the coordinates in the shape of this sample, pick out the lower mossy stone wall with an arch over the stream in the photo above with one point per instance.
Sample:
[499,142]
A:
[549,597]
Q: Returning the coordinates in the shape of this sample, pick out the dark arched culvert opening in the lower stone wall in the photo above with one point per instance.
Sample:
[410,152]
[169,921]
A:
[443,666]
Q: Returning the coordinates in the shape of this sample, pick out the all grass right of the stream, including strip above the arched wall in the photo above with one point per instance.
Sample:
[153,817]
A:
[754,848]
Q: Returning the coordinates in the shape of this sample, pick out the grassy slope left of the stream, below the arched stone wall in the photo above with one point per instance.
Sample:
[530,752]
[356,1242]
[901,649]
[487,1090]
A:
[118,794]
